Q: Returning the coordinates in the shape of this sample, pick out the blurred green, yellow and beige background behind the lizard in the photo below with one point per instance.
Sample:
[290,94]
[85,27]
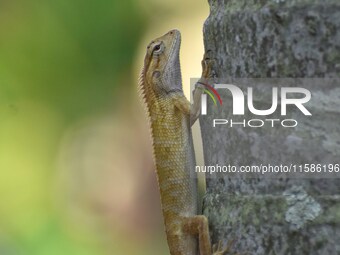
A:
[76,170]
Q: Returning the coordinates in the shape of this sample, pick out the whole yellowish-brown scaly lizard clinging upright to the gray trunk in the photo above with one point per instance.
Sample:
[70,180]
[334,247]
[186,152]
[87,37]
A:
[169,114]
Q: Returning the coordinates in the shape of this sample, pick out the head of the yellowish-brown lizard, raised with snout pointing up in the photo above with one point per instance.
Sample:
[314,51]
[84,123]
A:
[161,73]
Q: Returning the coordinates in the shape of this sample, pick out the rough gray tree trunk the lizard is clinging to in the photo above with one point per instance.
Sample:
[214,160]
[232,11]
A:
[275,38]
